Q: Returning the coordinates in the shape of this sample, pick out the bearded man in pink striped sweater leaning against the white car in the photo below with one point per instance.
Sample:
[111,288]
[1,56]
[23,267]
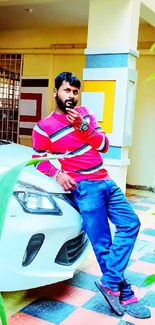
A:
[75,130]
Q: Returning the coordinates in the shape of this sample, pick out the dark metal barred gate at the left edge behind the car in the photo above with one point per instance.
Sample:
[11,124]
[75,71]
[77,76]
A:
[10,73]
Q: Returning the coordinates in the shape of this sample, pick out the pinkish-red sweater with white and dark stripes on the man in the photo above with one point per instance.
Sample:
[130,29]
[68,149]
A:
[56,135]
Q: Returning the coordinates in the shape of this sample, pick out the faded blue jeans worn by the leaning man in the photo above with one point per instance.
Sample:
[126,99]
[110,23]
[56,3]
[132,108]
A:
[99,201]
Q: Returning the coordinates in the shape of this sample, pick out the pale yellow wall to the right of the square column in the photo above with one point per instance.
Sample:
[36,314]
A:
[142,153]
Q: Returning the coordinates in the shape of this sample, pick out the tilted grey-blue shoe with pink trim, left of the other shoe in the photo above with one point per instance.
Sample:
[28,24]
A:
[112,297]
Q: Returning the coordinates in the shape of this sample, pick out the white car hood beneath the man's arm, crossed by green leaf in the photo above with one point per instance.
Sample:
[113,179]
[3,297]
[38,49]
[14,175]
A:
[14,154]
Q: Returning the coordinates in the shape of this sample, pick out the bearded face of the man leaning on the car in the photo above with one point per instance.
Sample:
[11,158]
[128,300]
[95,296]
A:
[66,96]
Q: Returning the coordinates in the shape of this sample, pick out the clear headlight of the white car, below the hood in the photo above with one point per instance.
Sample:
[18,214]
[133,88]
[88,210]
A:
[35,200]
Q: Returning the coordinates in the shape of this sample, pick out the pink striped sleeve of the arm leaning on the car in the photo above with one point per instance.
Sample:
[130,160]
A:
[40,143]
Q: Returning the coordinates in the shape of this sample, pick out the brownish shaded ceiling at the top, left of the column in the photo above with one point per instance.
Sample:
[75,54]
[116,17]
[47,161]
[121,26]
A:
[45,14]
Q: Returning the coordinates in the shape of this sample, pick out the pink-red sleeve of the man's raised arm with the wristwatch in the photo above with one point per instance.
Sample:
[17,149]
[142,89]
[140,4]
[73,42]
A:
[95,136]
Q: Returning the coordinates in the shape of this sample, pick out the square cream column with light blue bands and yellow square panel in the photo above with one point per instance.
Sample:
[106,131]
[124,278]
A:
[110,76]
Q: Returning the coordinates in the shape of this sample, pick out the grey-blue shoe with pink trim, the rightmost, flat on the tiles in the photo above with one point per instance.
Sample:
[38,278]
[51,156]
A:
[135,308]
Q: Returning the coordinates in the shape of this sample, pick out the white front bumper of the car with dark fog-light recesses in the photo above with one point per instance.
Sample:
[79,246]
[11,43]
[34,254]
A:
[63,249]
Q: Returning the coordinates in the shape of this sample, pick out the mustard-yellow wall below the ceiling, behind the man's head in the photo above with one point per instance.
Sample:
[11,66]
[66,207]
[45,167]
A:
[40,60]
